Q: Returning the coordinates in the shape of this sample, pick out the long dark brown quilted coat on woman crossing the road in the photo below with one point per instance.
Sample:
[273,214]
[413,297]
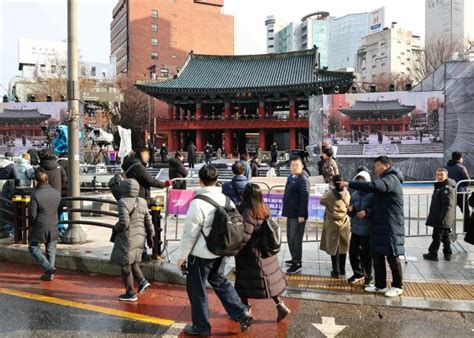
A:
[256,277]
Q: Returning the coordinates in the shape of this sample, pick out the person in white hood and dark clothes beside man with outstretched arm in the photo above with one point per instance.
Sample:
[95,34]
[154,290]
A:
[359,249]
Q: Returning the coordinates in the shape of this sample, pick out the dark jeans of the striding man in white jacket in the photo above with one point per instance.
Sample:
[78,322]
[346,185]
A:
[212,270]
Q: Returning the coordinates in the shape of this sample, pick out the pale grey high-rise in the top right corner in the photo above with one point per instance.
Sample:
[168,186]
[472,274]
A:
[451,20]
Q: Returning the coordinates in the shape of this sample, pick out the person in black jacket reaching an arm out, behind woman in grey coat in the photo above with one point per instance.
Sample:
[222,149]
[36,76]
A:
[138,172]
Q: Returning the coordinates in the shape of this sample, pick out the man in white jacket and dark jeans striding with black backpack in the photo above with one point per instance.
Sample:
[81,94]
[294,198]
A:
[199,263]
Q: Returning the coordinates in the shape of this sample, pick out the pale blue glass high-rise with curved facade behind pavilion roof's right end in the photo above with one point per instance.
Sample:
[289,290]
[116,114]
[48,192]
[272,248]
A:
[337,39]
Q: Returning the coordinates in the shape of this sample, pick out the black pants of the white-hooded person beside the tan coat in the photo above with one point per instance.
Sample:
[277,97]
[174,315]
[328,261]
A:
[359,256]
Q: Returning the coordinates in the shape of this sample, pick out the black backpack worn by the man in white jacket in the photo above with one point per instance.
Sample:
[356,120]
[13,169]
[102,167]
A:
[227,231]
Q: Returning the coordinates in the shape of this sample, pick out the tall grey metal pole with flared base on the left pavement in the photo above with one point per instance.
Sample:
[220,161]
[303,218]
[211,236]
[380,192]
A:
[74,233]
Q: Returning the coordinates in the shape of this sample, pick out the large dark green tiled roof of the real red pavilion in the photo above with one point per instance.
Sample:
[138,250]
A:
[211,73]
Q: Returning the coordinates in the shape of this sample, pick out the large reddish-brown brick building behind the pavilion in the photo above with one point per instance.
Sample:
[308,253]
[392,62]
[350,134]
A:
[154,37]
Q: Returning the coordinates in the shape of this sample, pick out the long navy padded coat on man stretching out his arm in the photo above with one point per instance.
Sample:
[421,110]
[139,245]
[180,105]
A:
[387,221]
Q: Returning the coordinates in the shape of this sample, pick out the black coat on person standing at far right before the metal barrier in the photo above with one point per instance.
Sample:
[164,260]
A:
[442,206]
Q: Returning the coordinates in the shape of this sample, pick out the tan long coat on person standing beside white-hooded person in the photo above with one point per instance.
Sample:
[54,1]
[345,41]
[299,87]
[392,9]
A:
[336,233]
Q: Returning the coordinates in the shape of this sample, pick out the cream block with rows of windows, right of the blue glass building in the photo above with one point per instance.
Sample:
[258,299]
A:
[390,51]
